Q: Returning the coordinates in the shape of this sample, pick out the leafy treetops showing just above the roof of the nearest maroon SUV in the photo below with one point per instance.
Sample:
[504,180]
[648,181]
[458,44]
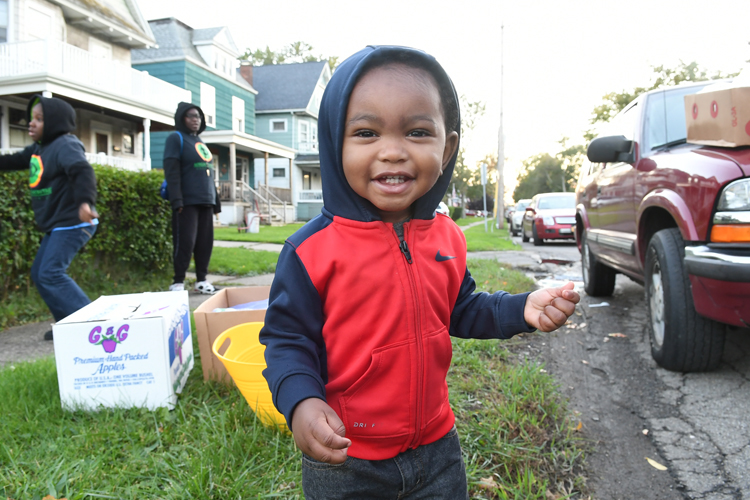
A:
[614,102]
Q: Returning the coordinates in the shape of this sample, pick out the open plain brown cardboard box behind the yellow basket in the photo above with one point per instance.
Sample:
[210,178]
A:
[209,324]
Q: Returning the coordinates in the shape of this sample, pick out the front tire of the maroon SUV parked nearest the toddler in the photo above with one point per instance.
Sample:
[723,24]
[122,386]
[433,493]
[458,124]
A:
[681,339]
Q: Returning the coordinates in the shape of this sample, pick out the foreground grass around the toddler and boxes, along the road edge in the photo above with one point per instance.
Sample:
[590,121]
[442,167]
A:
[517,441]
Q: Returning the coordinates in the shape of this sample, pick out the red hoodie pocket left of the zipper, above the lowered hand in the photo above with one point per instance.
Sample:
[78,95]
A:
[379,404]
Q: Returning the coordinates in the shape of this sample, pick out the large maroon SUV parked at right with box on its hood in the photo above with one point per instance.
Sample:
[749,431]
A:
[673,216]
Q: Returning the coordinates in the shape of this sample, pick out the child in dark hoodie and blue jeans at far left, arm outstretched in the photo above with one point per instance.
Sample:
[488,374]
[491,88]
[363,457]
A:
[63,194]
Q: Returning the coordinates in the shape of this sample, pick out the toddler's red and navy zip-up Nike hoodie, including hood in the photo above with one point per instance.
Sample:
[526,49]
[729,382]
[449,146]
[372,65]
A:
[361,314]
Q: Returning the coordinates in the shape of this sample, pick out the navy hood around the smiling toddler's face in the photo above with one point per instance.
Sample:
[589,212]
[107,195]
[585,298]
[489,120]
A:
[339,198]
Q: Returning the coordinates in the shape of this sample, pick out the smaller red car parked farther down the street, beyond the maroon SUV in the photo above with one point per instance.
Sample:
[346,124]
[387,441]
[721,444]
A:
[549,216]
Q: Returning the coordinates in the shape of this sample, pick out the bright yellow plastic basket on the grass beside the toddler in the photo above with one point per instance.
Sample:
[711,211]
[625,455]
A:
[245,363]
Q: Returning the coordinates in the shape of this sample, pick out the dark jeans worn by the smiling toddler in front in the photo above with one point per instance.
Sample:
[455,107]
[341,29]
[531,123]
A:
[432,471]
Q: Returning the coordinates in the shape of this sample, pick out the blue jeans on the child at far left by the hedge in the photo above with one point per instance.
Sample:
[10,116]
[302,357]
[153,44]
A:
[50,270]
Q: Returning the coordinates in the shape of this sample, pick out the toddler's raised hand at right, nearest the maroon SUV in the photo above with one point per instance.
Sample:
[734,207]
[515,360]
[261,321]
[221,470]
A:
[549,308]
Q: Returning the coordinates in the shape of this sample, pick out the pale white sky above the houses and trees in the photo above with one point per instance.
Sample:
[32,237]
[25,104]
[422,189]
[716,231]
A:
[545,74]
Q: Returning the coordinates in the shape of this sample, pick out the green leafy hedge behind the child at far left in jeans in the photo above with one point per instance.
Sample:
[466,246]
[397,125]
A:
[134,226]
